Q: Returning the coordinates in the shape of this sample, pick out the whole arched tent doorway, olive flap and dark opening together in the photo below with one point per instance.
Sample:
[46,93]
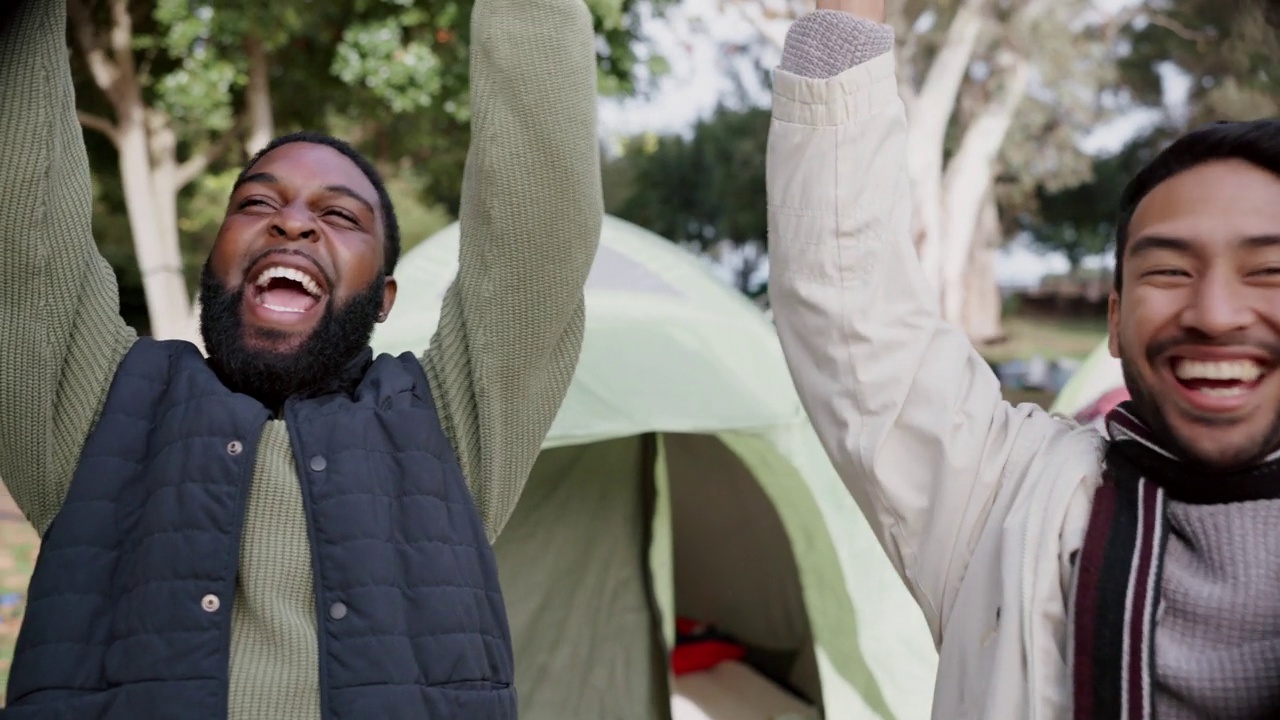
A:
[611,541]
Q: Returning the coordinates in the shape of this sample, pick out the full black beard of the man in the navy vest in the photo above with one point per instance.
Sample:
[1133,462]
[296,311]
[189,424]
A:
[316,366]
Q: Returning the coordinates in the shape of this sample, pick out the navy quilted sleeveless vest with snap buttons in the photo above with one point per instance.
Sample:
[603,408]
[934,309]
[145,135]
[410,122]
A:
[130,607]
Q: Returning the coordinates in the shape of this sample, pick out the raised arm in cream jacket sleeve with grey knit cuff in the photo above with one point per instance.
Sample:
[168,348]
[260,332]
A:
[909,413]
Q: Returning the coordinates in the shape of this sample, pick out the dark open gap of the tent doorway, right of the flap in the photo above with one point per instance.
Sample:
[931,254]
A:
[734,568]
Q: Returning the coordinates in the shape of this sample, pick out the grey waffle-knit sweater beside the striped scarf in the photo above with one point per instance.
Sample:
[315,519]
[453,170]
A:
[1218,627]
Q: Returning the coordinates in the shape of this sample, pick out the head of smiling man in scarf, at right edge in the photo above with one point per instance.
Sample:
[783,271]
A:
[1199,274]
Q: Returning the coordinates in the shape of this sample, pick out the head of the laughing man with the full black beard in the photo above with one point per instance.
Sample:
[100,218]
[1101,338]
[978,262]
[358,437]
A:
[298,315]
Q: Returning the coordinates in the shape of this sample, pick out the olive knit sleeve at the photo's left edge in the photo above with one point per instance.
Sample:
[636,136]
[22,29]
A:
[61,332]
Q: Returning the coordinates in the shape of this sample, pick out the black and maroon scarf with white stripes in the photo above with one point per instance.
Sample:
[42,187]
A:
[1119,572]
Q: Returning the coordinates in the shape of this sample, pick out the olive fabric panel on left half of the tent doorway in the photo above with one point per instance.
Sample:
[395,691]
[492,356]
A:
[574,571]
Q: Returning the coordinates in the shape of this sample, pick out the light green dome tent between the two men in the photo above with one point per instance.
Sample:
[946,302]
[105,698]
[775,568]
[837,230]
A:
[682,480]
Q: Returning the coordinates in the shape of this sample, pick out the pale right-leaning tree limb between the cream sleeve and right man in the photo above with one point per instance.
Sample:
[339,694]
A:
[968,183]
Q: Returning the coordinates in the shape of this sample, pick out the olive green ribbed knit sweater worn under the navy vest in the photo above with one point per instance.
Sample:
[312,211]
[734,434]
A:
[508,345]
